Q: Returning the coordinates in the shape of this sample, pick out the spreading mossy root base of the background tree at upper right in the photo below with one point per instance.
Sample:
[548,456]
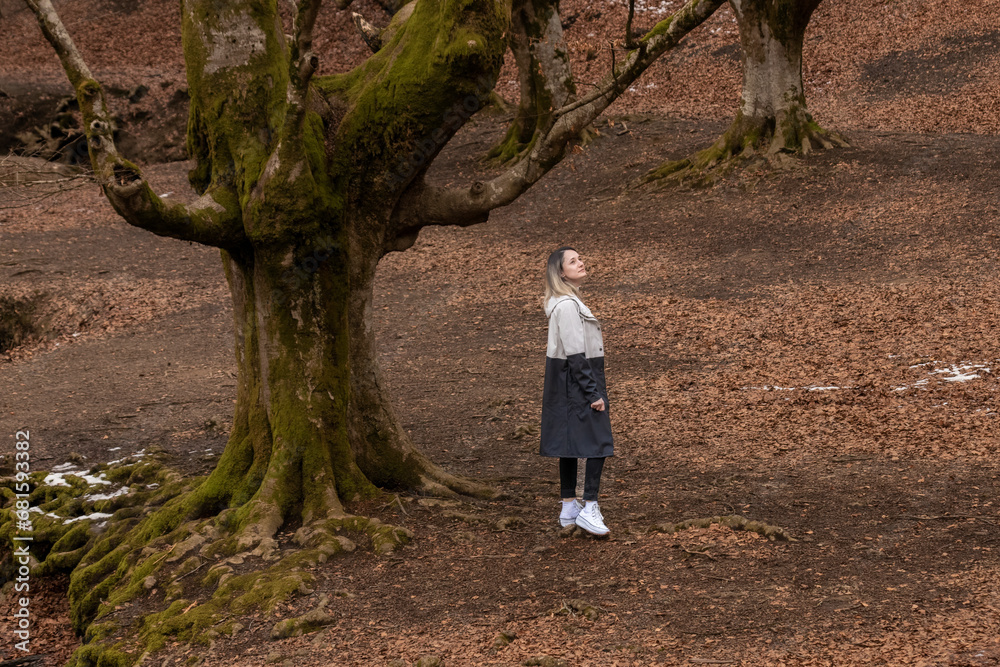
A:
[756,144]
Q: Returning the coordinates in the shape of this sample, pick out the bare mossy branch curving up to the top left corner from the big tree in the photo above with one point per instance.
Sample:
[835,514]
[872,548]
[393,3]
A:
[213,220]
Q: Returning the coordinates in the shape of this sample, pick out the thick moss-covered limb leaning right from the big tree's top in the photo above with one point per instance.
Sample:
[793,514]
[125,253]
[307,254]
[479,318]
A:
[405,102]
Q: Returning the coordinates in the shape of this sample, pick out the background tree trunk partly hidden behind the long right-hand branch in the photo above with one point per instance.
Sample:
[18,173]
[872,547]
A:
[546,82]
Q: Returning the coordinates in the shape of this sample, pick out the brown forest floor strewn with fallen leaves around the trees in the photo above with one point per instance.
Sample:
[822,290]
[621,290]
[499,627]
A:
[728,314]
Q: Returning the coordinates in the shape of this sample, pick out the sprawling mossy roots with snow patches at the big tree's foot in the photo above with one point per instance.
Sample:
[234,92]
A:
[198,571]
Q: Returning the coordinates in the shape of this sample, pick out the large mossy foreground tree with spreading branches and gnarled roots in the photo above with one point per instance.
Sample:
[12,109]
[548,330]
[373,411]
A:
[305,183]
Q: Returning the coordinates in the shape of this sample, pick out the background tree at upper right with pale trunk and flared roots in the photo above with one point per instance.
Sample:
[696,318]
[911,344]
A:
[772,122]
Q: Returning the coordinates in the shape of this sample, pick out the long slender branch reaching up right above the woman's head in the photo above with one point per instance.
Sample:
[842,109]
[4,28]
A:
[430,205]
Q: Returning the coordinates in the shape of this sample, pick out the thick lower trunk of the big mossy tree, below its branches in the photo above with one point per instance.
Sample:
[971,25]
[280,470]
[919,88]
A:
[289,456]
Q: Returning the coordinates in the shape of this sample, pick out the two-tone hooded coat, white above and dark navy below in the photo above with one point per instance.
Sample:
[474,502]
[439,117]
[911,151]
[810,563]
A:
[574,378]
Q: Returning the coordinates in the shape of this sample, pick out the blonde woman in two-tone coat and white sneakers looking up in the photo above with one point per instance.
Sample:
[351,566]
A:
[575,422]
